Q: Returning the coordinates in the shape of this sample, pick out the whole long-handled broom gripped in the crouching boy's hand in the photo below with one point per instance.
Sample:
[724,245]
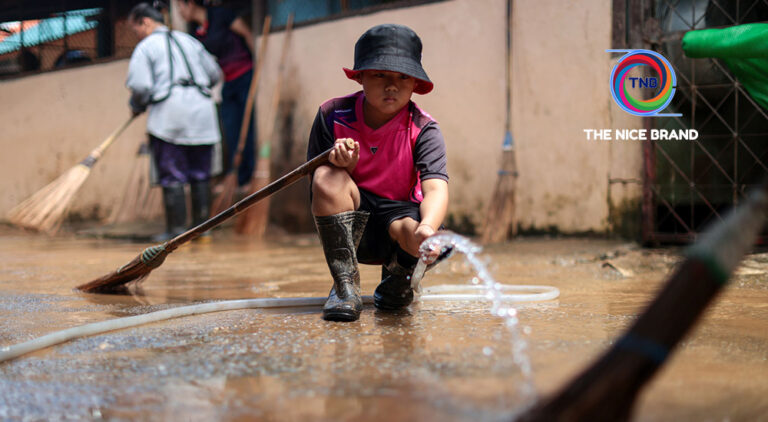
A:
[153,257]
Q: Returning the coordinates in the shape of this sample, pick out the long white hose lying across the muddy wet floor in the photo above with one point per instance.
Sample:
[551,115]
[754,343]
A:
[10,352]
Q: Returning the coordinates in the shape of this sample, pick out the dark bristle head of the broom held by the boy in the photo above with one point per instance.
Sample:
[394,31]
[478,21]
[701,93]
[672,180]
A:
[133,272]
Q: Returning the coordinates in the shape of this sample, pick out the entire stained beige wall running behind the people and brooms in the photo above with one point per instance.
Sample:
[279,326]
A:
[560,87]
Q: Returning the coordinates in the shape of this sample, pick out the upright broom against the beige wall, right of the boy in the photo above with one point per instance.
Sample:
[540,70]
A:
[500,220]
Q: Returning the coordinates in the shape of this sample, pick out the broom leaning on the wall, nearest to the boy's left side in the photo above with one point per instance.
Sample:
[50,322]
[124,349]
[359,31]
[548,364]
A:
[254,221]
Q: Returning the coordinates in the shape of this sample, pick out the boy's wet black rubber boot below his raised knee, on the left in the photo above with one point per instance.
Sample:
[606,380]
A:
[340,235]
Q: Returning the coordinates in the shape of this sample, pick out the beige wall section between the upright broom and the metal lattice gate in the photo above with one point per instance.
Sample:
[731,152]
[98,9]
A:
[561,73]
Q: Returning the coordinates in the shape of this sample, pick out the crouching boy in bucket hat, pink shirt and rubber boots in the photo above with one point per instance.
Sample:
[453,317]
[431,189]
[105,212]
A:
[376,203]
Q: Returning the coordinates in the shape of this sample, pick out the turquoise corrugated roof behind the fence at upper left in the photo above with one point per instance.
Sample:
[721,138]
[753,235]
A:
[50,29]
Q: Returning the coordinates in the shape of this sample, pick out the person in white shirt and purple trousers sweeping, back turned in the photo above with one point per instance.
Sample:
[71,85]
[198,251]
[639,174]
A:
[171,73]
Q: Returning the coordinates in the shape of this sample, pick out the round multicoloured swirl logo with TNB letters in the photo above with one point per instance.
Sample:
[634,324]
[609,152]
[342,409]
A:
[663,84]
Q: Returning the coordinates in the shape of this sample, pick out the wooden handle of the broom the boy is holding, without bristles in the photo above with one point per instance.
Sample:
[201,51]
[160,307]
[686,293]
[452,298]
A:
[253,198]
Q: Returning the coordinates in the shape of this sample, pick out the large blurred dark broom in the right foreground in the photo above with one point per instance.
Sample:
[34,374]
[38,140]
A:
[607,389]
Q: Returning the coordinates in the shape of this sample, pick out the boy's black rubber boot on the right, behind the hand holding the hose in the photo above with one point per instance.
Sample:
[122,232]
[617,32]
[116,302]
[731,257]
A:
[395,292]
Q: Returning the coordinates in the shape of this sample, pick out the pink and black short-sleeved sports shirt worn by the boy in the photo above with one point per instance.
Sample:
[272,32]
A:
[395,158]
